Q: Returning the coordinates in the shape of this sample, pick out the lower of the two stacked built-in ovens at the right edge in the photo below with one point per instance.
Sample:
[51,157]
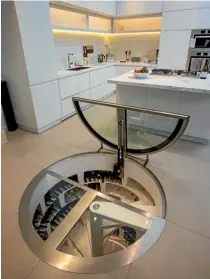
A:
[197,59]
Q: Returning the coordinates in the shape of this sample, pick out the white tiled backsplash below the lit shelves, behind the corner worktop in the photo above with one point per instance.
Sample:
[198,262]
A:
[141,45]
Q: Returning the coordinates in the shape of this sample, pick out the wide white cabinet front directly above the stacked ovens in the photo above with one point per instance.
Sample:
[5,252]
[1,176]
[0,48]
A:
[186,19]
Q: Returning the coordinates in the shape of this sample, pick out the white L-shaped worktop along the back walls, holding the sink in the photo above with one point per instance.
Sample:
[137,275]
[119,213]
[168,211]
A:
[65,73]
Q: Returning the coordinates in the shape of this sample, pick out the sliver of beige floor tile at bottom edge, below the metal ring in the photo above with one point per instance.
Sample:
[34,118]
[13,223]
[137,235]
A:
[43,271]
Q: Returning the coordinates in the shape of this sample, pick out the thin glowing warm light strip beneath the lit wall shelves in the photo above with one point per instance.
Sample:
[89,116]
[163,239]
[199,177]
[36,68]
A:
[140,33]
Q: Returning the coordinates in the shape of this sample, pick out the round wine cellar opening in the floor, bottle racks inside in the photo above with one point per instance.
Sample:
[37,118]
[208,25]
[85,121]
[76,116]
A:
[79,216]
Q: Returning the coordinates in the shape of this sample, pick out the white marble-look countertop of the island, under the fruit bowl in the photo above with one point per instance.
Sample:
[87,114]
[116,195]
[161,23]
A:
[179,83]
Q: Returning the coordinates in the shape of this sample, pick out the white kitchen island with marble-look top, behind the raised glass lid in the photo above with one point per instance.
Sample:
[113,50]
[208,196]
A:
[174,94]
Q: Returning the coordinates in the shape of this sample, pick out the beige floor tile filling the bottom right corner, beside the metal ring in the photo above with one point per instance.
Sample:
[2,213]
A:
[179,254]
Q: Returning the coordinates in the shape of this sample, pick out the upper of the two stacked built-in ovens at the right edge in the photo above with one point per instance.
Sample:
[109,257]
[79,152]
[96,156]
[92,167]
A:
[200,39]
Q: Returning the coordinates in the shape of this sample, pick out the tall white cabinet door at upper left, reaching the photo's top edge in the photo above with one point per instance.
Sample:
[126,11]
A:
[37,40]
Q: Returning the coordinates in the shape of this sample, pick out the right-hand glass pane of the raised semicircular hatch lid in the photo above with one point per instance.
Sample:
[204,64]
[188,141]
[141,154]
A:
[147,133]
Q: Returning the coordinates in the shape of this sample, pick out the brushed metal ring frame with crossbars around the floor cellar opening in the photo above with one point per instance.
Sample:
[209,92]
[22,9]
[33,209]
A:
[47,251]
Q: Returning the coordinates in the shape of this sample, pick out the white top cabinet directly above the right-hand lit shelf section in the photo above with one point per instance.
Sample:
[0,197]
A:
[125,8]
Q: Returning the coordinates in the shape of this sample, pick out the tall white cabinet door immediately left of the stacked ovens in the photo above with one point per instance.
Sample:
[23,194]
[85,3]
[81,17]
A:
[174,47]
